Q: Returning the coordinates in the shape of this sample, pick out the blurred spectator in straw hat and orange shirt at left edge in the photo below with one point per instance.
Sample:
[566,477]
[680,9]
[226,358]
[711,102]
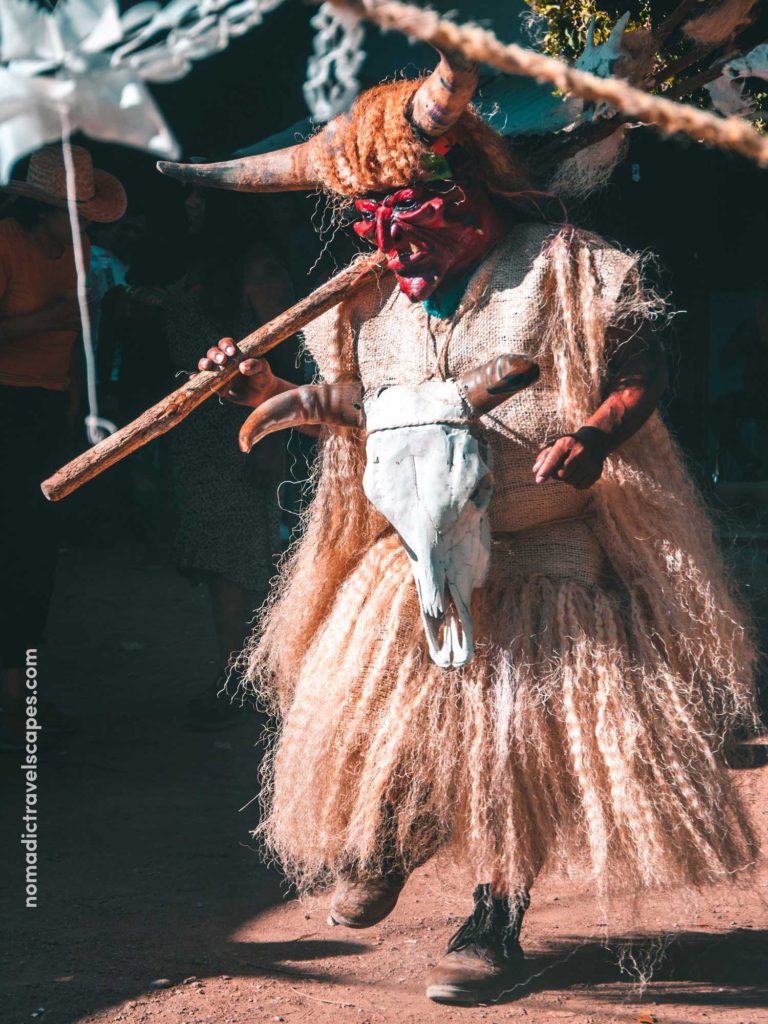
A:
[39,325]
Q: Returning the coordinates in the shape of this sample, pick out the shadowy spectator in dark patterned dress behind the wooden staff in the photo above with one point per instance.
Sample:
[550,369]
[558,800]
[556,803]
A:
[227,503]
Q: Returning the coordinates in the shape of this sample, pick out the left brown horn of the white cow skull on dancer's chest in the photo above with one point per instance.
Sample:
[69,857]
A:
[312,405]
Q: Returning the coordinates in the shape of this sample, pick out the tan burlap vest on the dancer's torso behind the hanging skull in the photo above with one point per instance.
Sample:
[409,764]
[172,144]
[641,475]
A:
[388,340]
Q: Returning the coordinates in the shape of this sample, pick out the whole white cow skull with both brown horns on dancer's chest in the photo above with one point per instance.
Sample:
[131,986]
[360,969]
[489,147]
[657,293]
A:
[428,473]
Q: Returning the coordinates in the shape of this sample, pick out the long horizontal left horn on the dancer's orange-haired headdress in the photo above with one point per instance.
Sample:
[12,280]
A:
[291,169]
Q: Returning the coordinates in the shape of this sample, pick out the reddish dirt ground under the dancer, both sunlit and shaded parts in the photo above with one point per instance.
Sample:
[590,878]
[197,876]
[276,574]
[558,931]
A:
[155,908]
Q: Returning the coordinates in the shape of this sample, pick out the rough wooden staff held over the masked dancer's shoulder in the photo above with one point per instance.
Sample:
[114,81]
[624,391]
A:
[172,411]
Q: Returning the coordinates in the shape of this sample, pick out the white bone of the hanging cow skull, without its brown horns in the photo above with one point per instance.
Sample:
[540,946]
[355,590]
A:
[426,473]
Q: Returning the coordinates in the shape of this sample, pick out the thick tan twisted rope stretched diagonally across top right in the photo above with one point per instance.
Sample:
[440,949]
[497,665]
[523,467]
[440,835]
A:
[483,47]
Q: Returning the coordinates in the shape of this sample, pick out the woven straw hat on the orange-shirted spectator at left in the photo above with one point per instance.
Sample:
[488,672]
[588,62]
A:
[100,196]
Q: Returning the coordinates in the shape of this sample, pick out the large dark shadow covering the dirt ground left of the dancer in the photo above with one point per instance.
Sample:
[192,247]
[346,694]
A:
[147,867]
